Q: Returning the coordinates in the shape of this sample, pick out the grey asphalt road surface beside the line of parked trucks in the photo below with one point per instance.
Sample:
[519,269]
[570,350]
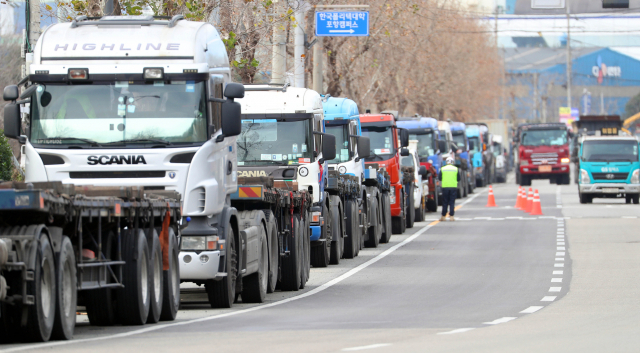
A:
[497,279]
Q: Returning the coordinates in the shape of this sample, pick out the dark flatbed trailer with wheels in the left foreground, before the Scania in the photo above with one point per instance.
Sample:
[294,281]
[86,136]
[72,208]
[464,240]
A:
[113,250]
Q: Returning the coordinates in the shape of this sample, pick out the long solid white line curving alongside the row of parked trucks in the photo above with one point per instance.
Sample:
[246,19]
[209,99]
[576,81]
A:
[314,291]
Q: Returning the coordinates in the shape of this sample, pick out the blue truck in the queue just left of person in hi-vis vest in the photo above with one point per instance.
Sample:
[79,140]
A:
[425,131]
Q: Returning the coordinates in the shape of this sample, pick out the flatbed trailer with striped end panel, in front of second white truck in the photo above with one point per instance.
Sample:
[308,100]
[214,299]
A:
[283,212]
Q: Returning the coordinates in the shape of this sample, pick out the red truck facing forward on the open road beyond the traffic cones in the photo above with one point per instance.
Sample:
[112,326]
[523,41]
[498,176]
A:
[543,153]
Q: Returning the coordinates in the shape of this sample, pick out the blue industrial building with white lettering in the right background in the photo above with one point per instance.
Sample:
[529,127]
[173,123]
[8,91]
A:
[603,80]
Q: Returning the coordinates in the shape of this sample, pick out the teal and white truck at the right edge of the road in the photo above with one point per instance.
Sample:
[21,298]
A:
[609,168]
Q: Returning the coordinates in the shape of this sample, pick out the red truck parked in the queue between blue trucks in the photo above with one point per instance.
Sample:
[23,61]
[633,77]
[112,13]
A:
[385,153]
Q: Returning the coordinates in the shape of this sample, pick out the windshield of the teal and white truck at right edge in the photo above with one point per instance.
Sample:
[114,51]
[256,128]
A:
[610,151]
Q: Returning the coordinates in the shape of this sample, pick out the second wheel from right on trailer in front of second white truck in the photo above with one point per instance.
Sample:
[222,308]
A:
[291,265]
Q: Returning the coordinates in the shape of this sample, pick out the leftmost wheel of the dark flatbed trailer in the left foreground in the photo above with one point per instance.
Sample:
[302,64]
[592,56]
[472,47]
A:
[42,314]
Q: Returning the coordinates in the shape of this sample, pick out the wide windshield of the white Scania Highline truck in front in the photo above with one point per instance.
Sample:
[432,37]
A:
[119,113]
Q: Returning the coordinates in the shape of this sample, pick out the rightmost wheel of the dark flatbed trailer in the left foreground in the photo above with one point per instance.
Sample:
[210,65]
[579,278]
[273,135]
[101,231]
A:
[171,281]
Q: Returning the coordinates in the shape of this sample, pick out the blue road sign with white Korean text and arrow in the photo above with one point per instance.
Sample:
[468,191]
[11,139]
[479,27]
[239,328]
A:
[342,23]
